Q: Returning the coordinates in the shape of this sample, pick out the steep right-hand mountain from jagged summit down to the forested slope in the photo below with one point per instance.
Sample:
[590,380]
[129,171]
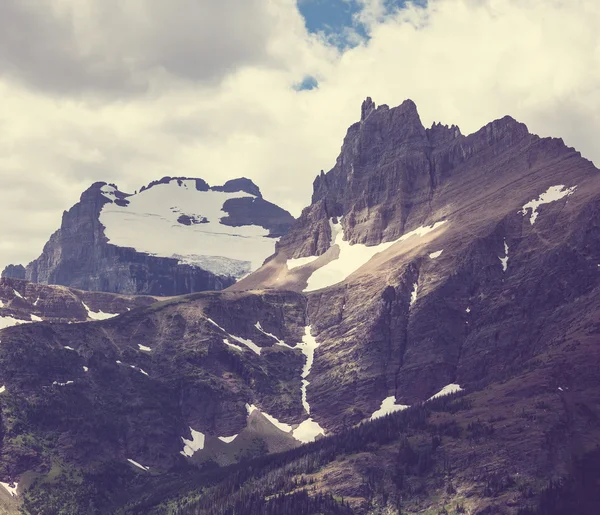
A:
[489,235]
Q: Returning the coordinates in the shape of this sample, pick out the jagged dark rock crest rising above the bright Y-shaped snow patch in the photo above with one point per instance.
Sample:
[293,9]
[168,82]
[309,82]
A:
[393,176]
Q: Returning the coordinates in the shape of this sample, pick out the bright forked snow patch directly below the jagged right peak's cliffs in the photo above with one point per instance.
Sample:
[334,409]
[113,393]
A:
[352,257]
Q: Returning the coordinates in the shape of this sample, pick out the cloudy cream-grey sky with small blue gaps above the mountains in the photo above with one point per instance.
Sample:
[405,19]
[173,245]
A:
[130,91]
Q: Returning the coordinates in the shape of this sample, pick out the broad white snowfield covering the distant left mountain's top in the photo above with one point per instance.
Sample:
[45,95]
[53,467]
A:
[149,224]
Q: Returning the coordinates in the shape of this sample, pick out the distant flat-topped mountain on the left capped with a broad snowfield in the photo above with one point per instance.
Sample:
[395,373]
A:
[175,236]
